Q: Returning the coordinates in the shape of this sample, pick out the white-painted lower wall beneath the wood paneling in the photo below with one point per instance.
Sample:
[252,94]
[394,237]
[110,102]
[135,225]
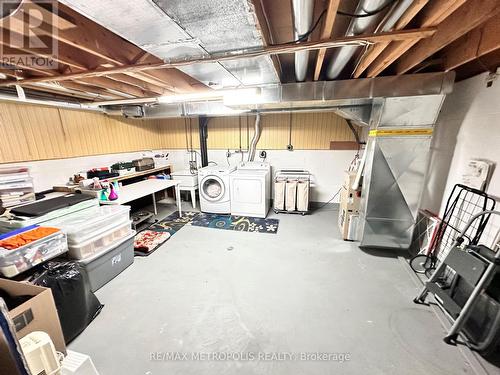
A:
[326,166]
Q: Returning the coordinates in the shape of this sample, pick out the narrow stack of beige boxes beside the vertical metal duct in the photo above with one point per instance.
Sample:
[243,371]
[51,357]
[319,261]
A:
[349,207]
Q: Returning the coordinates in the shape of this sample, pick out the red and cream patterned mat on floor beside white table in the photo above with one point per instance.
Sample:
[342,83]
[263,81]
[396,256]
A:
[150,239]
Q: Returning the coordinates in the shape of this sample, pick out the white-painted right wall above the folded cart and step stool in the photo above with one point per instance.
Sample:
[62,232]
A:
[468,127]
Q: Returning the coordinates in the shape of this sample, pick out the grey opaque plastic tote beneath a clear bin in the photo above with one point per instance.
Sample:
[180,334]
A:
[104,267]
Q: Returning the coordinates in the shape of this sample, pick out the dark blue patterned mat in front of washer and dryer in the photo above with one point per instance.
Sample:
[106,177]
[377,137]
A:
[238,223]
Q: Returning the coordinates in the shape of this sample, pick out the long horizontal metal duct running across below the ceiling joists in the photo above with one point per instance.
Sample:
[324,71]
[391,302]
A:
[352,98]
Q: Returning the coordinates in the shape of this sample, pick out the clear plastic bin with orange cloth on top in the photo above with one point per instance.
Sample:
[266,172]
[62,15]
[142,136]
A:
[13,262]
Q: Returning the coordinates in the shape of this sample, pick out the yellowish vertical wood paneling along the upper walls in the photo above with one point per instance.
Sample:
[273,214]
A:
[30,132]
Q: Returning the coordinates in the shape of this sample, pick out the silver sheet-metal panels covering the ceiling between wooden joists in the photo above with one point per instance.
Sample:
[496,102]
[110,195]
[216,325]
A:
[188,28]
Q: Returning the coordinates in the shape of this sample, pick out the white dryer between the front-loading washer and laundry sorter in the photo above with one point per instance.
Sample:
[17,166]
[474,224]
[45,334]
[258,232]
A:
[251,189]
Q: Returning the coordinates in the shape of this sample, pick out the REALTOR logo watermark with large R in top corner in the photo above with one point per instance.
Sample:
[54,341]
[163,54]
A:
[29,34]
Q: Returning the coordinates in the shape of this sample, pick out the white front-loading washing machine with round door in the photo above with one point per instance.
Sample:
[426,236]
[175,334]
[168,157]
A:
[214,189]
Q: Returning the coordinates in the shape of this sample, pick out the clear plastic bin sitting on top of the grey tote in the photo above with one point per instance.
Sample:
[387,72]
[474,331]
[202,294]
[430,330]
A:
[95,245]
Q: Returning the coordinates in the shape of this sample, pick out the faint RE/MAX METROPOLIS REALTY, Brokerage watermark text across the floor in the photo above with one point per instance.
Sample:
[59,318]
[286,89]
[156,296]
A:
[250,356]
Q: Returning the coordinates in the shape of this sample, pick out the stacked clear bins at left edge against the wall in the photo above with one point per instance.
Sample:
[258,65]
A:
[16,186]
